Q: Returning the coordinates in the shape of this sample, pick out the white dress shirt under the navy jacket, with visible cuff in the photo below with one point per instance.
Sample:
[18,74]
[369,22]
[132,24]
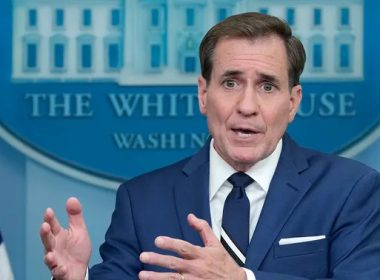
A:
[219,188]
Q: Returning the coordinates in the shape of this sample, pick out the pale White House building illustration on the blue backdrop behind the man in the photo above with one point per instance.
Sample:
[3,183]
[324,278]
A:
[155,42]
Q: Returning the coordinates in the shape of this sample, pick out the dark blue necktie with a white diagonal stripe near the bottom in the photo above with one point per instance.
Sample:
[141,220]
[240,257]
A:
[235,221]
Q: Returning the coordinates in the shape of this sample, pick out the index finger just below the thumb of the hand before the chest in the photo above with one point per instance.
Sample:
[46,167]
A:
[181,247]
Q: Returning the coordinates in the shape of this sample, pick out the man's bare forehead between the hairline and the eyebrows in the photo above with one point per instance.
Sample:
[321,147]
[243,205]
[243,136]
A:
[266,54]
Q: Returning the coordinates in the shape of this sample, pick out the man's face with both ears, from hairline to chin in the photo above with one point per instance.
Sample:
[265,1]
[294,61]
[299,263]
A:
[247,102]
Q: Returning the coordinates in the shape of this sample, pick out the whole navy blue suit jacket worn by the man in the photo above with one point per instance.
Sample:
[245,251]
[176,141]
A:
[310,194]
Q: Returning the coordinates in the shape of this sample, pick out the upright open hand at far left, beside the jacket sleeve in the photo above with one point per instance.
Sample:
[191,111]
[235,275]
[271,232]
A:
[67,251]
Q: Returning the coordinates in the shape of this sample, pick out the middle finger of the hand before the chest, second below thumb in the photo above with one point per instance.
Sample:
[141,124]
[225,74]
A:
[170,262]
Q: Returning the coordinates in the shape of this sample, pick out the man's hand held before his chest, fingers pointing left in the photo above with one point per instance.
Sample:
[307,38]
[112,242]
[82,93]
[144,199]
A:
[209,262]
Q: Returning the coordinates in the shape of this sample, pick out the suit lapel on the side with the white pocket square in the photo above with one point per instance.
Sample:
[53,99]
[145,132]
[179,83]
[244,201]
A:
[286,190]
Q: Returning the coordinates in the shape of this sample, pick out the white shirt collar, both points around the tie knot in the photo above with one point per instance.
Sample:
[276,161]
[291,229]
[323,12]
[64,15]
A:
[262,172]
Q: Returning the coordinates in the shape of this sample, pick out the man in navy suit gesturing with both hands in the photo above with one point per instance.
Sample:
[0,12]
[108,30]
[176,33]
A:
[310,215]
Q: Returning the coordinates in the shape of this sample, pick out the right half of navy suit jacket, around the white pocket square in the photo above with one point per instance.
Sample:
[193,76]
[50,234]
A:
[315,194]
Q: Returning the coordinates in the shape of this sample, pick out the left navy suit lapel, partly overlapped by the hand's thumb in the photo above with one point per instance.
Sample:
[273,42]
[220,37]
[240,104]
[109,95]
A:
[191,193]
